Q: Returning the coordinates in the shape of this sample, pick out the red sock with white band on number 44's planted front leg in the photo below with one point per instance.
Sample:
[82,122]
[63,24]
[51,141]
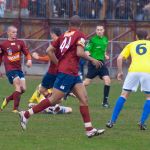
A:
[86,117]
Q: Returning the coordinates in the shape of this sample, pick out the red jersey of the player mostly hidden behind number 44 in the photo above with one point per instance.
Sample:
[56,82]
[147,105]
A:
[53,68]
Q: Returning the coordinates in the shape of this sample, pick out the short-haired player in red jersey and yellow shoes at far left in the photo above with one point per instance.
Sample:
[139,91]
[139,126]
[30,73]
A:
[11,51]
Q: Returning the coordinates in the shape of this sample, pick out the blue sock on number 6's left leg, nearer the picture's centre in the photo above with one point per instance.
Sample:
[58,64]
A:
[118,107]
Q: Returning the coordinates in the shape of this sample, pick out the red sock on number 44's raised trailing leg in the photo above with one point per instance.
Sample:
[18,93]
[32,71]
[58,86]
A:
[39,107]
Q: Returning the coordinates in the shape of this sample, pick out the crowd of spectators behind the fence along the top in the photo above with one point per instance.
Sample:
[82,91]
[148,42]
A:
[86,9]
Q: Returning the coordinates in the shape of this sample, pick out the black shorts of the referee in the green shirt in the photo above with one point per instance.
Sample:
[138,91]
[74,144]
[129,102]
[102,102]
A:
[93,71]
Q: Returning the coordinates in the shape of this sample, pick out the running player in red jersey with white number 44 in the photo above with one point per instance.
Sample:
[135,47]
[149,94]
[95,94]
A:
[71,46]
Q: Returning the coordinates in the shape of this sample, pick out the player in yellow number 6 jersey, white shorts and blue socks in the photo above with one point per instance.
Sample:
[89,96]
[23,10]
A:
[138,73]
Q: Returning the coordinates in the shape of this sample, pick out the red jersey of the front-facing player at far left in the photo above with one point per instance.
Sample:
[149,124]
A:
[11,51]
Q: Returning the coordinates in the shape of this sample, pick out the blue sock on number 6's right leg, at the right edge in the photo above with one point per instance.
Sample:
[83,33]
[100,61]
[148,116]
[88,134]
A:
[146,112]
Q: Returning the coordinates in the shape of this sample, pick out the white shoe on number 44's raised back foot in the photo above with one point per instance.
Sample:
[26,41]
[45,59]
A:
[23,120]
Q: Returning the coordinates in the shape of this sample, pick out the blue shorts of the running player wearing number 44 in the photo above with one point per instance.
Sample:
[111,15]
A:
[66,82]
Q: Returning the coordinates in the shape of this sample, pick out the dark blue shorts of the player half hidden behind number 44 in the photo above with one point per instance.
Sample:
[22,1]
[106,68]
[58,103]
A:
[48,80]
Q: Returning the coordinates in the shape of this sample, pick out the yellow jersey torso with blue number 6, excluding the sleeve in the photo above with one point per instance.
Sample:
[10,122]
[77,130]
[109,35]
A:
[140,55]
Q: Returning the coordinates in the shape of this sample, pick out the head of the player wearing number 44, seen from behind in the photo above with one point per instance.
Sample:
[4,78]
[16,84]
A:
[75,21]
